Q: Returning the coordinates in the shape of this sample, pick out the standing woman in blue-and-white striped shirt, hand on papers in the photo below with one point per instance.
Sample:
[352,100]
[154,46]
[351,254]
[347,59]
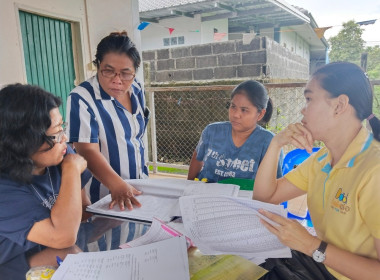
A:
[107,118]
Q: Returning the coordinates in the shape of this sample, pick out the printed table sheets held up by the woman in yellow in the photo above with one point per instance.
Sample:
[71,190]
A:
[228,225]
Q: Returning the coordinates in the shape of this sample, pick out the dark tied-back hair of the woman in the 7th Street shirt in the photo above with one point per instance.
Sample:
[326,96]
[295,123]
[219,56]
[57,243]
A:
[258,96]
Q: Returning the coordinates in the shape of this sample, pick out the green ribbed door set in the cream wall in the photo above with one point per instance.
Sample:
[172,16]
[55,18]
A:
[48,54]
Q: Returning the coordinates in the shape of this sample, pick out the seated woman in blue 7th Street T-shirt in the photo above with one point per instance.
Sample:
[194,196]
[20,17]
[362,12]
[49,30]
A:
[234,149]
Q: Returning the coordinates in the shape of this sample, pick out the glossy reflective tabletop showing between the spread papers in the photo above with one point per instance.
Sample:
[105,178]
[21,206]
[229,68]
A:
[201,267]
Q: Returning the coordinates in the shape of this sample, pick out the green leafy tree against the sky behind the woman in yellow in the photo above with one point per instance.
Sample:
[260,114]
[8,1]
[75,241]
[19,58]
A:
[348,45]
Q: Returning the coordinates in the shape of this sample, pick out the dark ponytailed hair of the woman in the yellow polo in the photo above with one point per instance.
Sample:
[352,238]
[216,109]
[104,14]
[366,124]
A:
[347,78]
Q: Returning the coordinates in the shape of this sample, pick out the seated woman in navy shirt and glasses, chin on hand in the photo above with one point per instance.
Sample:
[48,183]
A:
[40,182]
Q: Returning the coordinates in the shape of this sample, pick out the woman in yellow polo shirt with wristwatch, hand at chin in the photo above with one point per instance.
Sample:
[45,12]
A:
[342,181]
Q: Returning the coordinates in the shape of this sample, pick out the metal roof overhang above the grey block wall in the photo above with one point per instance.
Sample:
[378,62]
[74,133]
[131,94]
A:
[242,14]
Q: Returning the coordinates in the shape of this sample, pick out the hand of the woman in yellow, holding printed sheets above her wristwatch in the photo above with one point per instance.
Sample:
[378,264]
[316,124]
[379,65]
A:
[291,233]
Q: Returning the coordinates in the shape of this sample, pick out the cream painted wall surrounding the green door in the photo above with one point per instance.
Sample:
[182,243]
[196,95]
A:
[91,20]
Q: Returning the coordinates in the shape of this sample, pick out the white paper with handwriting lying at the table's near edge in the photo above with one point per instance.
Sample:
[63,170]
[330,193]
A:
[166,260]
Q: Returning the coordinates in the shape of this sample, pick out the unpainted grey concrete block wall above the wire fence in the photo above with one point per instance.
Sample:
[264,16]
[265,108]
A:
[261,58]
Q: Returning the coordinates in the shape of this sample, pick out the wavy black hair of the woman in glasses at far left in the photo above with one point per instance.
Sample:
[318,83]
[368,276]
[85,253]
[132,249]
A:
[24,119]
